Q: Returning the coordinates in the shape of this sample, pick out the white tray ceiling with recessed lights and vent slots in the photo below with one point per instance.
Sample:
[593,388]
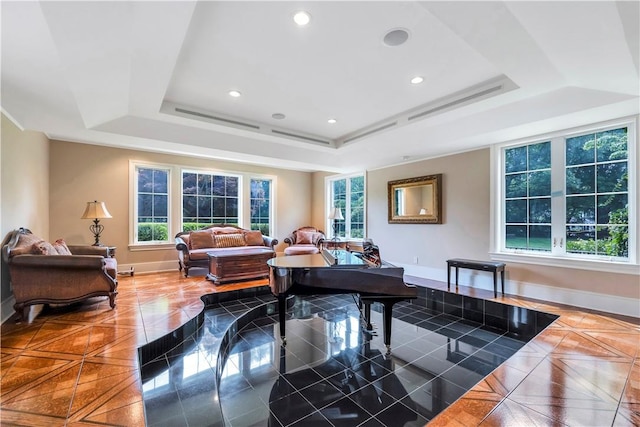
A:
[119,73]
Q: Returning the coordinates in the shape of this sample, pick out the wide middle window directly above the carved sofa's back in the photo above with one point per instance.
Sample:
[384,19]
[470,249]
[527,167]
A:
[208,199]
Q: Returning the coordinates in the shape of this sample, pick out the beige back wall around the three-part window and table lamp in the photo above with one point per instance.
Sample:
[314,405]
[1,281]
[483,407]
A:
[81,173]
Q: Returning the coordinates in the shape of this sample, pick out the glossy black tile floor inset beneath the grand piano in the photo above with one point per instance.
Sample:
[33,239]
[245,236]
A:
[330,373]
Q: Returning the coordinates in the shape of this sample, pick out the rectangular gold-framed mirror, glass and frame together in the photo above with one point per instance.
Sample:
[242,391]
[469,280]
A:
[415,200]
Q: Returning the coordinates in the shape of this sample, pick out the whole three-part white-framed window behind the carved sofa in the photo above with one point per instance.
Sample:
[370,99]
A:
[204,197]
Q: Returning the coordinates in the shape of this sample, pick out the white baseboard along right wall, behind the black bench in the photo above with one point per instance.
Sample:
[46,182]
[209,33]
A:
[584,299]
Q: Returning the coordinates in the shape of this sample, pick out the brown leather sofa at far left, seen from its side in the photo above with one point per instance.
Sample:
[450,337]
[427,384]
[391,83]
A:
[45,273]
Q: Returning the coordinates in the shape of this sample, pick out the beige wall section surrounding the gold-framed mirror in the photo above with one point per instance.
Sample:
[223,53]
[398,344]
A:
[464,232]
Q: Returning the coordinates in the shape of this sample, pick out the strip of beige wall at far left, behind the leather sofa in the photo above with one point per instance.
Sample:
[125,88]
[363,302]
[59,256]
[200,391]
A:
[24,188]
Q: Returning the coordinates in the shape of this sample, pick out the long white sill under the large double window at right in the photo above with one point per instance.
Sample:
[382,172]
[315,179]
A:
[566,262]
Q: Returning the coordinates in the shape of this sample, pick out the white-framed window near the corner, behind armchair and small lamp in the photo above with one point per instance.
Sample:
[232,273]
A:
[347,193]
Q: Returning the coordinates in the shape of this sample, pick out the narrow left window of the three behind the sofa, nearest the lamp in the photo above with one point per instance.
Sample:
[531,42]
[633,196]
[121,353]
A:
[151,204]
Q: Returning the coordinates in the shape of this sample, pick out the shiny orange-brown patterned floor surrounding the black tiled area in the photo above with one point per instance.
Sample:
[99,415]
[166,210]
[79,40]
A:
[79,366]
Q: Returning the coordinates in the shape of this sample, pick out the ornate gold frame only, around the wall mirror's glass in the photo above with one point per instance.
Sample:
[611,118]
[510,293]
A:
[431,218]
